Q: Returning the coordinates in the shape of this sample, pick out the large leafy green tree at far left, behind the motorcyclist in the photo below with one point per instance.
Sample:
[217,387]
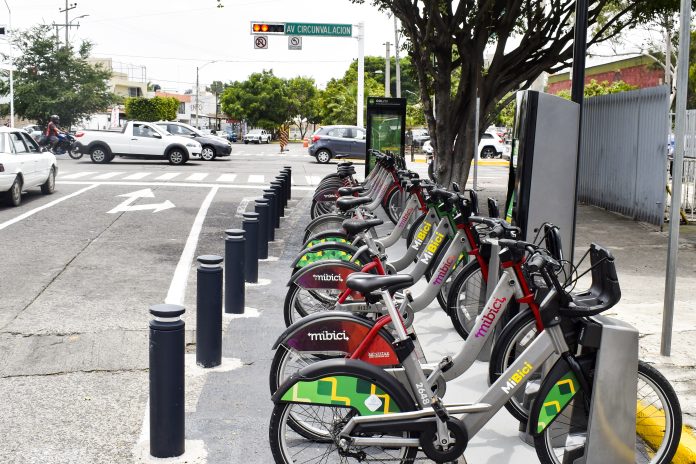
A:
[50,80]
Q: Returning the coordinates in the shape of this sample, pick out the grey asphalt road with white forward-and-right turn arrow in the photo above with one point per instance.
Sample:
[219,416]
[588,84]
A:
[81,268]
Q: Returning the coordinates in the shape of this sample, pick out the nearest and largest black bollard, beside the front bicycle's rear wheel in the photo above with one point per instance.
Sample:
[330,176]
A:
[167,414]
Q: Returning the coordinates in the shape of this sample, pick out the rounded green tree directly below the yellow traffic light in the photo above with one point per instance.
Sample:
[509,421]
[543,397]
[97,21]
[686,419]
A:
[261,100]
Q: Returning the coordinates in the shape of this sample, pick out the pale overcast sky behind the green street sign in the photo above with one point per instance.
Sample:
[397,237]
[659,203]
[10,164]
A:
[172,37]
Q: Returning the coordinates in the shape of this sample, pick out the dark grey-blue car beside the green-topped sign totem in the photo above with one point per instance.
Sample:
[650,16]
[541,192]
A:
[337,142]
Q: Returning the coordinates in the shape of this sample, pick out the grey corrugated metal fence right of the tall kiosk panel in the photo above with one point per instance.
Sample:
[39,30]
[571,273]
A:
[624,153]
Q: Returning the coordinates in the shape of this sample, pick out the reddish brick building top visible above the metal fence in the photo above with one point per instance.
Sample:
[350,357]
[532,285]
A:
[640,71]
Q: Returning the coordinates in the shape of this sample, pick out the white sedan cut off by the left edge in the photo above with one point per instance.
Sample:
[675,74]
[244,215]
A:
[23,166]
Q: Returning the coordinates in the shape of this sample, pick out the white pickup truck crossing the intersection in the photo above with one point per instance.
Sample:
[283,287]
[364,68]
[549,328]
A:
[136,139]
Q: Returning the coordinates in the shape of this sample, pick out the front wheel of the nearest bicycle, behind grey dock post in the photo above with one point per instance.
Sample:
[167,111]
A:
[658,424]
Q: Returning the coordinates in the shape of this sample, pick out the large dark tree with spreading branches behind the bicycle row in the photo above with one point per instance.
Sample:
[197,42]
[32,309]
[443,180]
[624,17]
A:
[447,41]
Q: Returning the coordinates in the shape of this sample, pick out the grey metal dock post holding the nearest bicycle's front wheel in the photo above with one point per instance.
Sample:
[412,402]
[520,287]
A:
[611,429]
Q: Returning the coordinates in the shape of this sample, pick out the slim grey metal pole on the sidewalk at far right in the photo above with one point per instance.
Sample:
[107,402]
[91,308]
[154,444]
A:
[682,80]
